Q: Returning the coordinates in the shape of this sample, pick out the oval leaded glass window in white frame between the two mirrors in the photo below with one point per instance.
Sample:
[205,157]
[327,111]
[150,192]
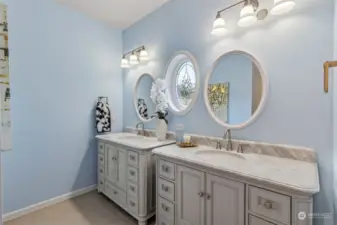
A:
[182,77]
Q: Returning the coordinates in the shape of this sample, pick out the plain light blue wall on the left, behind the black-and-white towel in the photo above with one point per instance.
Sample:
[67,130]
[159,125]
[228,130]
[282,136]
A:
[60,62]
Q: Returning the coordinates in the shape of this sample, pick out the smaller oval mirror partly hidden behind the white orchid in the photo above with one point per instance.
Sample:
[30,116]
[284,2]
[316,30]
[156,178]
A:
[143,103]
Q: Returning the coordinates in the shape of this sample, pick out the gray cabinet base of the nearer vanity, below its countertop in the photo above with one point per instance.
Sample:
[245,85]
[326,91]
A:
[200,196]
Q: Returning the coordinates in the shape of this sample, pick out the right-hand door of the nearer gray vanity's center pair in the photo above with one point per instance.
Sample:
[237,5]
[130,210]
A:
[225,201]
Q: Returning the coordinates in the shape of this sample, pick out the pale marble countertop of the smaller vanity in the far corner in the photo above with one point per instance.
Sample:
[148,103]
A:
[133,141]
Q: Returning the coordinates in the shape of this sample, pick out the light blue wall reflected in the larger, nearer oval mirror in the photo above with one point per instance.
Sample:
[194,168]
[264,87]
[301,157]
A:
[237,70]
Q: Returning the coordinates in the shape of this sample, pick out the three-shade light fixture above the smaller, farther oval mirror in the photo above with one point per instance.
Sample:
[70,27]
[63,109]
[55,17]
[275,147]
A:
[136,56]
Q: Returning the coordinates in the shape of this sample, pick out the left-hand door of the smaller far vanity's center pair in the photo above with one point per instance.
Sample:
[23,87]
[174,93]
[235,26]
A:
[112,163]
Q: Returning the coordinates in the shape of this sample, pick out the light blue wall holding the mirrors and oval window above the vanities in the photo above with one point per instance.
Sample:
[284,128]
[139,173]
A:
[291,49]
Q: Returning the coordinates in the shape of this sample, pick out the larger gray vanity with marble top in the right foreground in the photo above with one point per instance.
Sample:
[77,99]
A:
[217,187]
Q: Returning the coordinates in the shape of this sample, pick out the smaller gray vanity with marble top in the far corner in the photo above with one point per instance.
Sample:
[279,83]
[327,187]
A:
[126,172]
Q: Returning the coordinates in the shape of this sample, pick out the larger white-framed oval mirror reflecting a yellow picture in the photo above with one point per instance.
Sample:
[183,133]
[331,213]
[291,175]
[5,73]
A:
[235,90]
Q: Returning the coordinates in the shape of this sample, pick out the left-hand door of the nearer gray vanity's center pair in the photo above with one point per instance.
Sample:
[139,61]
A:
[190,197]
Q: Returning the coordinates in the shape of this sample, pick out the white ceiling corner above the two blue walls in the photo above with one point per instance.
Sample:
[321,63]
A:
[117,13]
